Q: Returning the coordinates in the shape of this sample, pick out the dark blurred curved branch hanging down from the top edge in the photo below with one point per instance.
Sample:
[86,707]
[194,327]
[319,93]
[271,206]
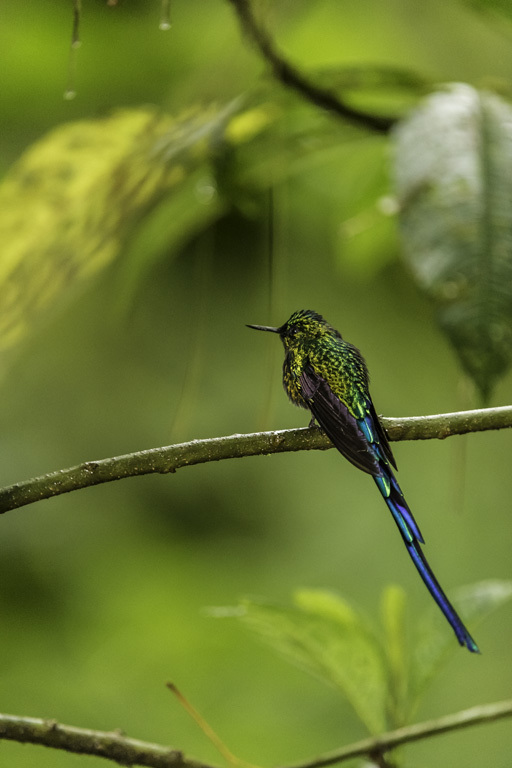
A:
[291,77]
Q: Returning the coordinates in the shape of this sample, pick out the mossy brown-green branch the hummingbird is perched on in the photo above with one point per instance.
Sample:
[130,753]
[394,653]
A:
[173,457]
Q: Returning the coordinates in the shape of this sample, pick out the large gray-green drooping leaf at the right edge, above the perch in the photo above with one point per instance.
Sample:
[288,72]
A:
[453,177]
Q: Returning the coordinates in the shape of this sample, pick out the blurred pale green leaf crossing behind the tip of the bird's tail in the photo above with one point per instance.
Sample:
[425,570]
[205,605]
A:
[435,644]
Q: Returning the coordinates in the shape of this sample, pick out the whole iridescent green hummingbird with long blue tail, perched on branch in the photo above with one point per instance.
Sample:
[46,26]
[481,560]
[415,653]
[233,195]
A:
[328,376]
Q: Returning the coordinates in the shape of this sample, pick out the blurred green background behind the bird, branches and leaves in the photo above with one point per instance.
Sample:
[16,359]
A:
[103,593]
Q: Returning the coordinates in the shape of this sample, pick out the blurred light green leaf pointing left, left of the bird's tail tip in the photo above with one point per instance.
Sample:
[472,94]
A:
[329,639]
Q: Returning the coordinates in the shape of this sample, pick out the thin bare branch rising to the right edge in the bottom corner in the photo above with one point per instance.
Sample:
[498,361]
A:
[485,713]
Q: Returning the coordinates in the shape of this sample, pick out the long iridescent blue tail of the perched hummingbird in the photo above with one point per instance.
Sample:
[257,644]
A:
[413,540]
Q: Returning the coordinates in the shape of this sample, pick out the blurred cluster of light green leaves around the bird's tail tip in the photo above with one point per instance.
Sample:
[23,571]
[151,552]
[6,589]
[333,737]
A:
[381,672]
